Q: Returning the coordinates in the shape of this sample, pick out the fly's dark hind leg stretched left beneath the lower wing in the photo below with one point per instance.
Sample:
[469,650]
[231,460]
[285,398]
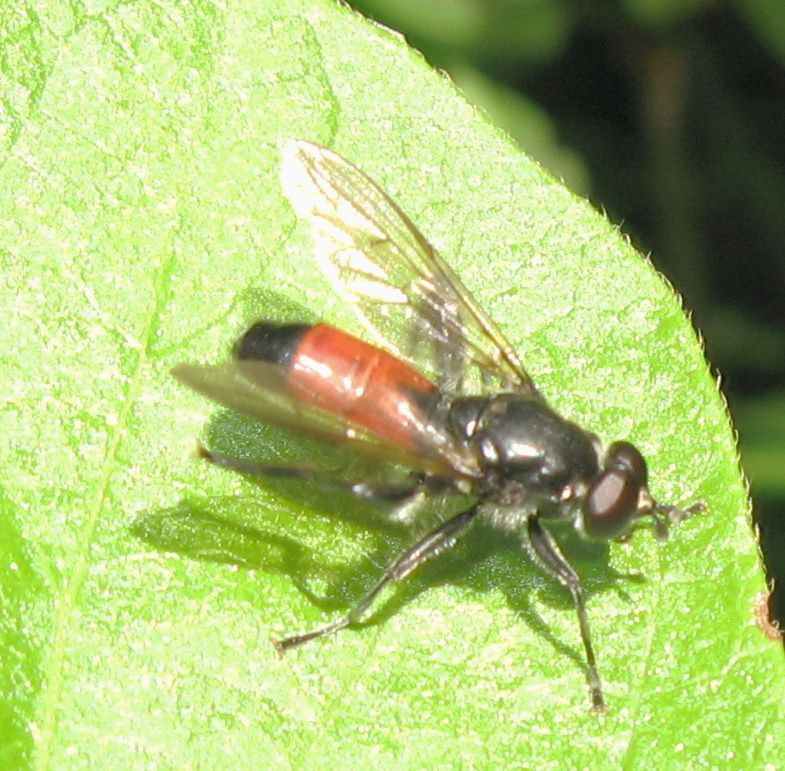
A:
[402,494]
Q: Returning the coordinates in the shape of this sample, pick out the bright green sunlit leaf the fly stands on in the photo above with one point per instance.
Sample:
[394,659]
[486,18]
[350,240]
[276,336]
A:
[143,225]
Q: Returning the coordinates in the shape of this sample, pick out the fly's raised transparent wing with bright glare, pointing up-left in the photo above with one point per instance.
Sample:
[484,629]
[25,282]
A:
[404,293]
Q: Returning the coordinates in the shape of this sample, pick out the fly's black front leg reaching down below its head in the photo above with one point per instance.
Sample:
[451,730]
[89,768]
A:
[548,555]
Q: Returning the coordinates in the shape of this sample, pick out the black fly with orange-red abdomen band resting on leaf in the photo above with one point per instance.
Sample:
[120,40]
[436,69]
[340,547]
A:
[439,392]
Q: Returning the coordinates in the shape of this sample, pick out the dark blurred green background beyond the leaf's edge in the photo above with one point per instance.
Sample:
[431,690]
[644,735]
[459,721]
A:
[670,116]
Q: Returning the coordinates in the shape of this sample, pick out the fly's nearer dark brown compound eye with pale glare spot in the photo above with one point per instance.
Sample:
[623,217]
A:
[611,504]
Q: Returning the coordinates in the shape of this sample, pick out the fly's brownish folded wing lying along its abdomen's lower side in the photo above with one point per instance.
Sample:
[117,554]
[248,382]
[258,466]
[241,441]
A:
[259,390]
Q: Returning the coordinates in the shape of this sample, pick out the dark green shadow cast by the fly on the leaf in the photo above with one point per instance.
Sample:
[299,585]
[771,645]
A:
[235,530]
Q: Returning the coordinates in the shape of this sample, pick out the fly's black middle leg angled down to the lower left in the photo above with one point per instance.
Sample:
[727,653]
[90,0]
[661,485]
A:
[443,537]
